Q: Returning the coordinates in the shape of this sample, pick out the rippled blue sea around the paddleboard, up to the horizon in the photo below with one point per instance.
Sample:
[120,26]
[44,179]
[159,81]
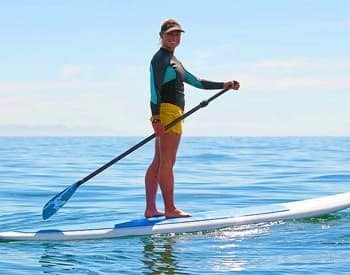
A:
[212,174]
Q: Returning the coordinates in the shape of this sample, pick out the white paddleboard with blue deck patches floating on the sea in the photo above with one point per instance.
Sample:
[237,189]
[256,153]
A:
[199,222]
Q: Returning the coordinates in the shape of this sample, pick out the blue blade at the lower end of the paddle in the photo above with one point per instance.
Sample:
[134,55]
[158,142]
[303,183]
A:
[53,205]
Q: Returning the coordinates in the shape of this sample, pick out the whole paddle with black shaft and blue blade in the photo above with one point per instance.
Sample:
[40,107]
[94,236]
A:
[53,205]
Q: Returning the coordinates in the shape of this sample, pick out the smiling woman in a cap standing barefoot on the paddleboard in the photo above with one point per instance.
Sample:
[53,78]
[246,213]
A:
[167,103]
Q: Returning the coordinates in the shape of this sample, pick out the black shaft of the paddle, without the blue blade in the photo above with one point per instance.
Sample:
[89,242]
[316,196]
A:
[203,104]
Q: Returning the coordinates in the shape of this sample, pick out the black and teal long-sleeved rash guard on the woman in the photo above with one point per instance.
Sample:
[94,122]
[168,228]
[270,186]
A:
[167,81]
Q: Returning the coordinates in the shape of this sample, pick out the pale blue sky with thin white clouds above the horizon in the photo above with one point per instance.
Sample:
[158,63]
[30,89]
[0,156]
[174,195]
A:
[81,68]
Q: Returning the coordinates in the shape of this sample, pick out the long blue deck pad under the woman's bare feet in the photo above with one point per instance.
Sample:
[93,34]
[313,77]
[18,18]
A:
[212,215]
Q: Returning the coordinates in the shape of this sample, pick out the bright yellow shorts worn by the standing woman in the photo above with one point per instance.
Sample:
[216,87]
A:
[168,113]
